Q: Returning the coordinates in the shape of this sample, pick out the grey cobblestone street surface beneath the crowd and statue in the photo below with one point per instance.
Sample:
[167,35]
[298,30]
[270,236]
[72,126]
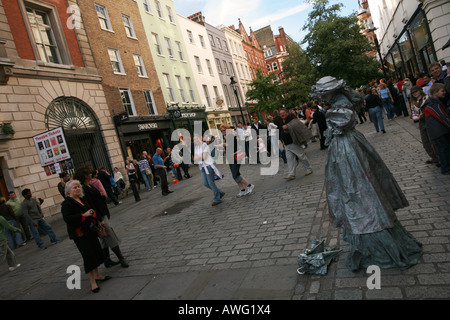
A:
[247,248]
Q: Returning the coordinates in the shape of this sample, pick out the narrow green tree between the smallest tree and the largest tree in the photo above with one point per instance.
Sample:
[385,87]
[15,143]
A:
[300,76]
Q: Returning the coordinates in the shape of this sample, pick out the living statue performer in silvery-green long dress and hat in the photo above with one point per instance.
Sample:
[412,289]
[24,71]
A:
[362,193]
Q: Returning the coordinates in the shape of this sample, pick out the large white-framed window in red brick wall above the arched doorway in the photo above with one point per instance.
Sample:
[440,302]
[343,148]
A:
[44,37]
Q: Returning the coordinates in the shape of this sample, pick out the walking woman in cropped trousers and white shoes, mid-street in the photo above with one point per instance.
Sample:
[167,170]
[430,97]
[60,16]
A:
[245,187]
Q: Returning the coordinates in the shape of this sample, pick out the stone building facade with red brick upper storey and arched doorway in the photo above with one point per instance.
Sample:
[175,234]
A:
[52,82]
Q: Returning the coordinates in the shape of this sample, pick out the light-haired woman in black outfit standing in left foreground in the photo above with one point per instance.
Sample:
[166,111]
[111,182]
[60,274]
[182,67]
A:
[81,220]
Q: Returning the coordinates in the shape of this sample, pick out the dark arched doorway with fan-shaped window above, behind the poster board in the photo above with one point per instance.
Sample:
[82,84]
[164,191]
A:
[82,131]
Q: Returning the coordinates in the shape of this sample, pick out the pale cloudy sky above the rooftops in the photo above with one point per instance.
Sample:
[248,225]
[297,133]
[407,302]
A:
[256,14]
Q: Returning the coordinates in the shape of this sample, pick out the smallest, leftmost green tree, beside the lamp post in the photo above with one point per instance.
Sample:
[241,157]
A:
[264,90]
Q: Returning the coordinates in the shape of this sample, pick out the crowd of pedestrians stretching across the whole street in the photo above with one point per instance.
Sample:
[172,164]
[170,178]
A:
[426,100]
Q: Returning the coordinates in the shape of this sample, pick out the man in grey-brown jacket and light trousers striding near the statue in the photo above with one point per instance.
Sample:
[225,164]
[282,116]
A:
[293,150]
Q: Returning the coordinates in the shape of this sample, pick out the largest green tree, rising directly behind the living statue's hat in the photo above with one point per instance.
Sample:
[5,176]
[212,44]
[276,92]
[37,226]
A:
[336,46]
